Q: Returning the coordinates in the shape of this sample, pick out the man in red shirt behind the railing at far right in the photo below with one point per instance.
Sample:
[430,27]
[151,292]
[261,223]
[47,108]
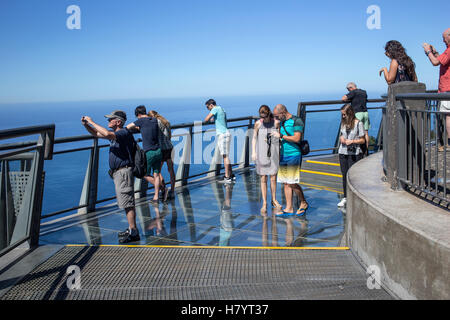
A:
[443,61]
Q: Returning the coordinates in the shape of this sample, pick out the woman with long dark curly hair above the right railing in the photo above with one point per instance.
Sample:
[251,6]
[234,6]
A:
[402,67]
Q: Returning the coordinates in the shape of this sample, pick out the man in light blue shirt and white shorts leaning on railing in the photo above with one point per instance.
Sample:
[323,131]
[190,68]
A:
[223,136]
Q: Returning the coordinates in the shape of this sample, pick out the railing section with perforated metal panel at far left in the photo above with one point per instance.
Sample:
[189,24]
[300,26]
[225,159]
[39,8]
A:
[21,185]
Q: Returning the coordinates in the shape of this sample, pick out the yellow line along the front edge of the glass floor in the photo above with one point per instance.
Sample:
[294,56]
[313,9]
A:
[209,247]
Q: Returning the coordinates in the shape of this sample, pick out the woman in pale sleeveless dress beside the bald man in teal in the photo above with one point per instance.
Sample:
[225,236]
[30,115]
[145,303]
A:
[266,154]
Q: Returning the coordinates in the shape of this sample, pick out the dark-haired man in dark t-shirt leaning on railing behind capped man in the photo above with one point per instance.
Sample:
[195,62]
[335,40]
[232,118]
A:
[148,127]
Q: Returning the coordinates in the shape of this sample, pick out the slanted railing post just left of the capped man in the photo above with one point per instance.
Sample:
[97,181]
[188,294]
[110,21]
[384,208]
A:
[89,192]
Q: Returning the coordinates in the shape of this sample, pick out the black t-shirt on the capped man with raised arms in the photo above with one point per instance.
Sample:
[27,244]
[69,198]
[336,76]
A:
[121,150]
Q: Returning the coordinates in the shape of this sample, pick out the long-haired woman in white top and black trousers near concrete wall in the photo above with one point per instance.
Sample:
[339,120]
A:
[351,139]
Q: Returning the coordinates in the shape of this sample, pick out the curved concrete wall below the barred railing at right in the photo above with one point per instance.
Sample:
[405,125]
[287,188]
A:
[406,237]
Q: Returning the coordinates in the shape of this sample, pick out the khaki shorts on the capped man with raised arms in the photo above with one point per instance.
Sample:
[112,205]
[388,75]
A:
[124,185]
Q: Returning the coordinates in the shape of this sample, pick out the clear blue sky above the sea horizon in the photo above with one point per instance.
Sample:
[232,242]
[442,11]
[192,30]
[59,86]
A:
[147,48]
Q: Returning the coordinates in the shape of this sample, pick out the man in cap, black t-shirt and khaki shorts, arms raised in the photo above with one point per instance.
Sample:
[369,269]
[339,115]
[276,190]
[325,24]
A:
[120,162]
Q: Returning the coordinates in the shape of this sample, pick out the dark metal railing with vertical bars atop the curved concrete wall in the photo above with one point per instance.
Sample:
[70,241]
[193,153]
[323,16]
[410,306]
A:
[412,158]
